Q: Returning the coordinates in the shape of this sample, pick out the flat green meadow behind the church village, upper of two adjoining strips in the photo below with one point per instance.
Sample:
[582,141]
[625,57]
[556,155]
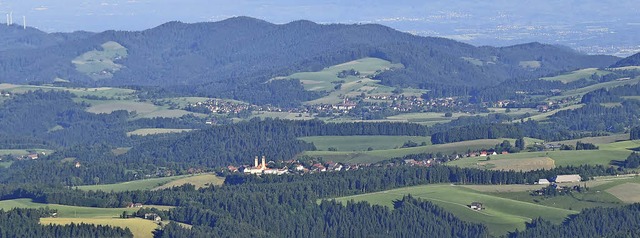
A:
[362,143]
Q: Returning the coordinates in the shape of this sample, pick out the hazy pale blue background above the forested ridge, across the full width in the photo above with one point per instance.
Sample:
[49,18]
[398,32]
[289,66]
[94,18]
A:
[577,23]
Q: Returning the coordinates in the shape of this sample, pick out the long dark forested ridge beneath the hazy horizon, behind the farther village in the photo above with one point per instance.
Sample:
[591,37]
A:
[239,54]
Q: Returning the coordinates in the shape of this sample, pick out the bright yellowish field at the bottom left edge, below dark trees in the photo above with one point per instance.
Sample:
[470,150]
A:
[140,228]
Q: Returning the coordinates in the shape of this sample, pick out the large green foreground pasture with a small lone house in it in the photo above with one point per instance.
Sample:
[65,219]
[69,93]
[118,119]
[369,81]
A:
[500,216]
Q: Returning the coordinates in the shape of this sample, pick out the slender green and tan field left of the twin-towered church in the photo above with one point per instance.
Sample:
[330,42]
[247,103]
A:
[156,183]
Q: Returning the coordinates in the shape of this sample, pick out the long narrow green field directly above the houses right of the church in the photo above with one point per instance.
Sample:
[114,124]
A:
[379,155]
